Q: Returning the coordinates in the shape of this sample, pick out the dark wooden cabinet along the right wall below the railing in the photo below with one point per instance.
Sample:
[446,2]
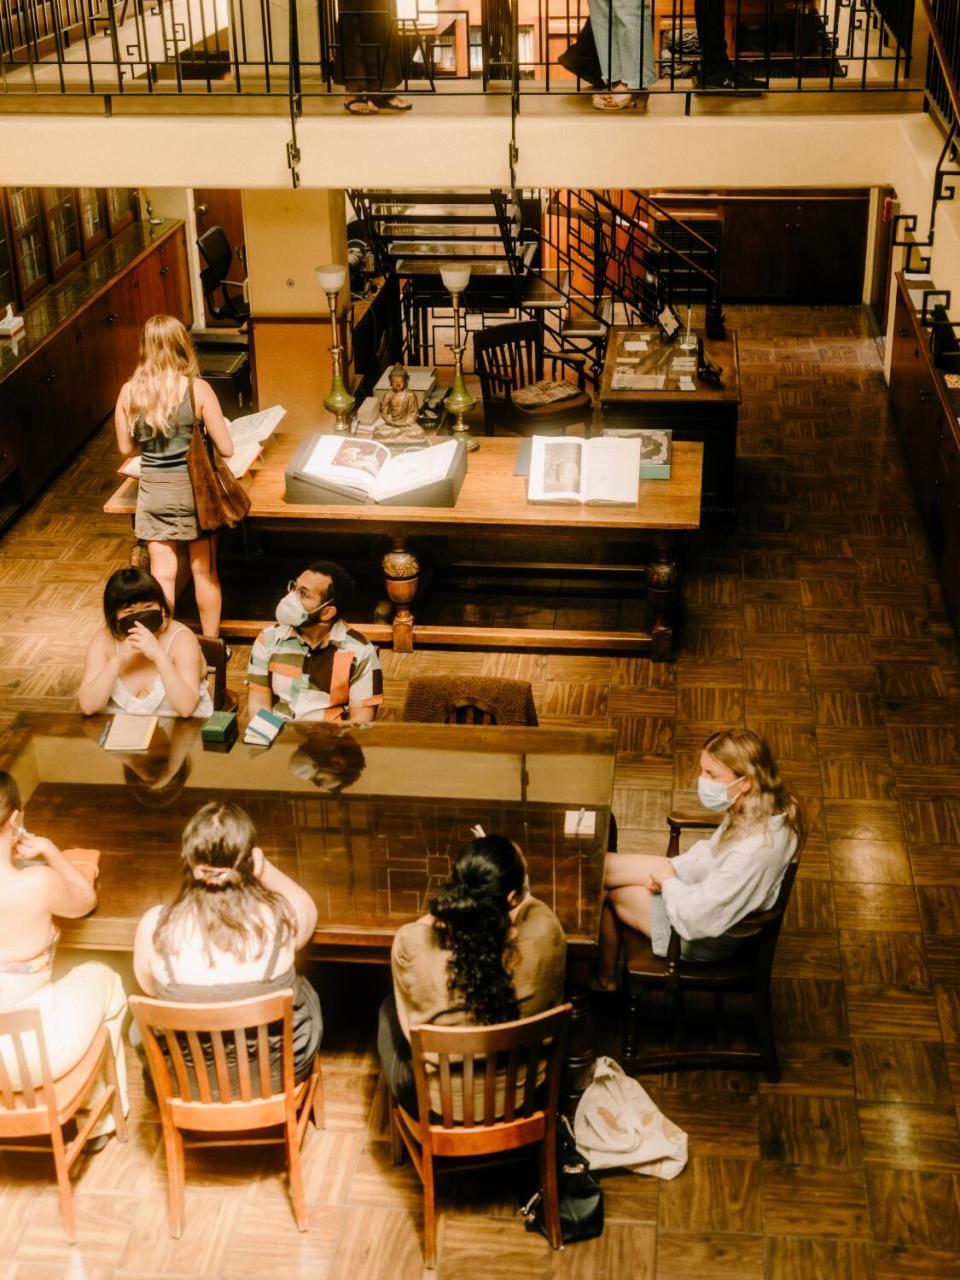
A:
[926,415]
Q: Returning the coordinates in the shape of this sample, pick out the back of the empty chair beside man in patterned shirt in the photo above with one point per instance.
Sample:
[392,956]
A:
[469,701]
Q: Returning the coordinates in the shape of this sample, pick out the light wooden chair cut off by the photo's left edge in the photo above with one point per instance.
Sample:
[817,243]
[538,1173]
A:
[43,1110]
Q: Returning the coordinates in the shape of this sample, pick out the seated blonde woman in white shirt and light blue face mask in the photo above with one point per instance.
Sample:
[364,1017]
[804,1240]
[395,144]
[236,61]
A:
[719,881]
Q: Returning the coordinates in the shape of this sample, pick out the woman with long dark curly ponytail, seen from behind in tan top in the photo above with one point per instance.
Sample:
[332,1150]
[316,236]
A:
[487,953]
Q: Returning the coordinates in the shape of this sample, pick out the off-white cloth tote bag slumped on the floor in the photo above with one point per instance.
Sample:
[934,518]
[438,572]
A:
[618,1126]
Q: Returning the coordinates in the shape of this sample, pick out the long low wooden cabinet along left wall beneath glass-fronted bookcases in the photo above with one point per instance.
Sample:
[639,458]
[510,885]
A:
[67,385]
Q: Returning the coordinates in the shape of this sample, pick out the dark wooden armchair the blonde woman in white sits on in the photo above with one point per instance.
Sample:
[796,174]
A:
[747,971]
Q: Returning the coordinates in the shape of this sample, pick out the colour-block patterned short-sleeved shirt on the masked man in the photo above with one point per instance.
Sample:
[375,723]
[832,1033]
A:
[317,684]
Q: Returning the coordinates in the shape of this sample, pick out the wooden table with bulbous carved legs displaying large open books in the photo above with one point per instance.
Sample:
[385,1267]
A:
[493,502]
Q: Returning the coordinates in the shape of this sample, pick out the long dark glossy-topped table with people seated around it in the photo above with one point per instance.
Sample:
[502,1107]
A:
[371,845]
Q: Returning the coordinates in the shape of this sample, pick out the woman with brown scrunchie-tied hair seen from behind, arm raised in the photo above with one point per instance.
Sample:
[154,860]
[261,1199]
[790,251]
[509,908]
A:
[234,931]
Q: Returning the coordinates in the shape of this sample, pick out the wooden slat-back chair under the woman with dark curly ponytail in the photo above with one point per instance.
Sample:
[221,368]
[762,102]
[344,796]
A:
[491,1104]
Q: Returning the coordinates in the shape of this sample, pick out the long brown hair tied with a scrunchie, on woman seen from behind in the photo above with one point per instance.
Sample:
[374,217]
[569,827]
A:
[221,895]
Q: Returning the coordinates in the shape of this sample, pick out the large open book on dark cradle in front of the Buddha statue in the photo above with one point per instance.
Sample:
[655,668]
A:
[368,472]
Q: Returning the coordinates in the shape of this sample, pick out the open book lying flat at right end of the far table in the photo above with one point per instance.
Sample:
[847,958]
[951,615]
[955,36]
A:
[568,470]
